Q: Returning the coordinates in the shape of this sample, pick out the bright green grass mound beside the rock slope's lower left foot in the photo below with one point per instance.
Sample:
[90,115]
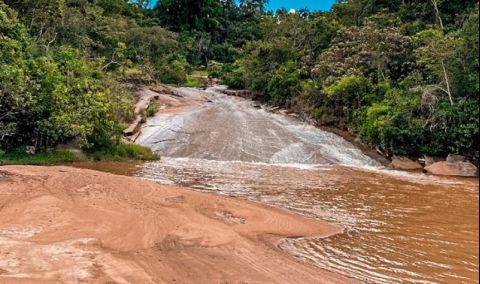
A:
[123,152]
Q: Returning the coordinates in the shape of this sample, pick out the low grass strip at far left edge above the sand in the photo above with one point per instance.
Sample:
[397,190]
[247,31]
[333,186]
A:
[19,156]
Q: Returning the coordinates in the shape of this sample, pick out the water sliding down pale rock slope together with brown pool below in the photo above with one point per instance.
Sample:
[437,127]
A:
[399,227]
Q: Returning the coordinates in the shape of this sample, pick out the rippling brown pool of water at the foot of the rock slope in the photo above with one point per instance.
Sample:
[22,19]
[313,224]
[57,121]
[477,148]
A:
[398,227]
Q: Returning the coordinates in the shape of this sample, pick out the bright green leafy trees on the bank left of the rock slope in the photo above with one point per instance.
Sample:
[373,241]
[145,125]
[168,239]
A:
[54,96]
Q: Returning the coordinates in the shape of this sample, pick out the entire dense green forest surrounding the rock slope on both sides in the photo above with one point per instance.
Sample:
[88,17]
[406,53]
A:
[401,75]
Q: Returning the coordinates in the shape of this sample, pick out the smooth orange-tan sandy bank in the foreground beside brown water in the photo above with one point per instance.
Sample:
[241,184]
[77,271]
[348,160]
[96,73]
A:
[60,224]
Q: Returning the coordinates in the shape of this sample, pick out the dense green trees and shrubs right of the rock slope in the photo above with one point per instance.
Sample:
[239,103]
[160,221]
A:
[400,75]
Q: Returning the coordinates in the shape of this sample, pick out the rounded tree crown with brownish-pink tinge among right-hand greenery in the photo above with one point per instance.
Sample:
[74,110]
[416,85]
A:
[377,54]
